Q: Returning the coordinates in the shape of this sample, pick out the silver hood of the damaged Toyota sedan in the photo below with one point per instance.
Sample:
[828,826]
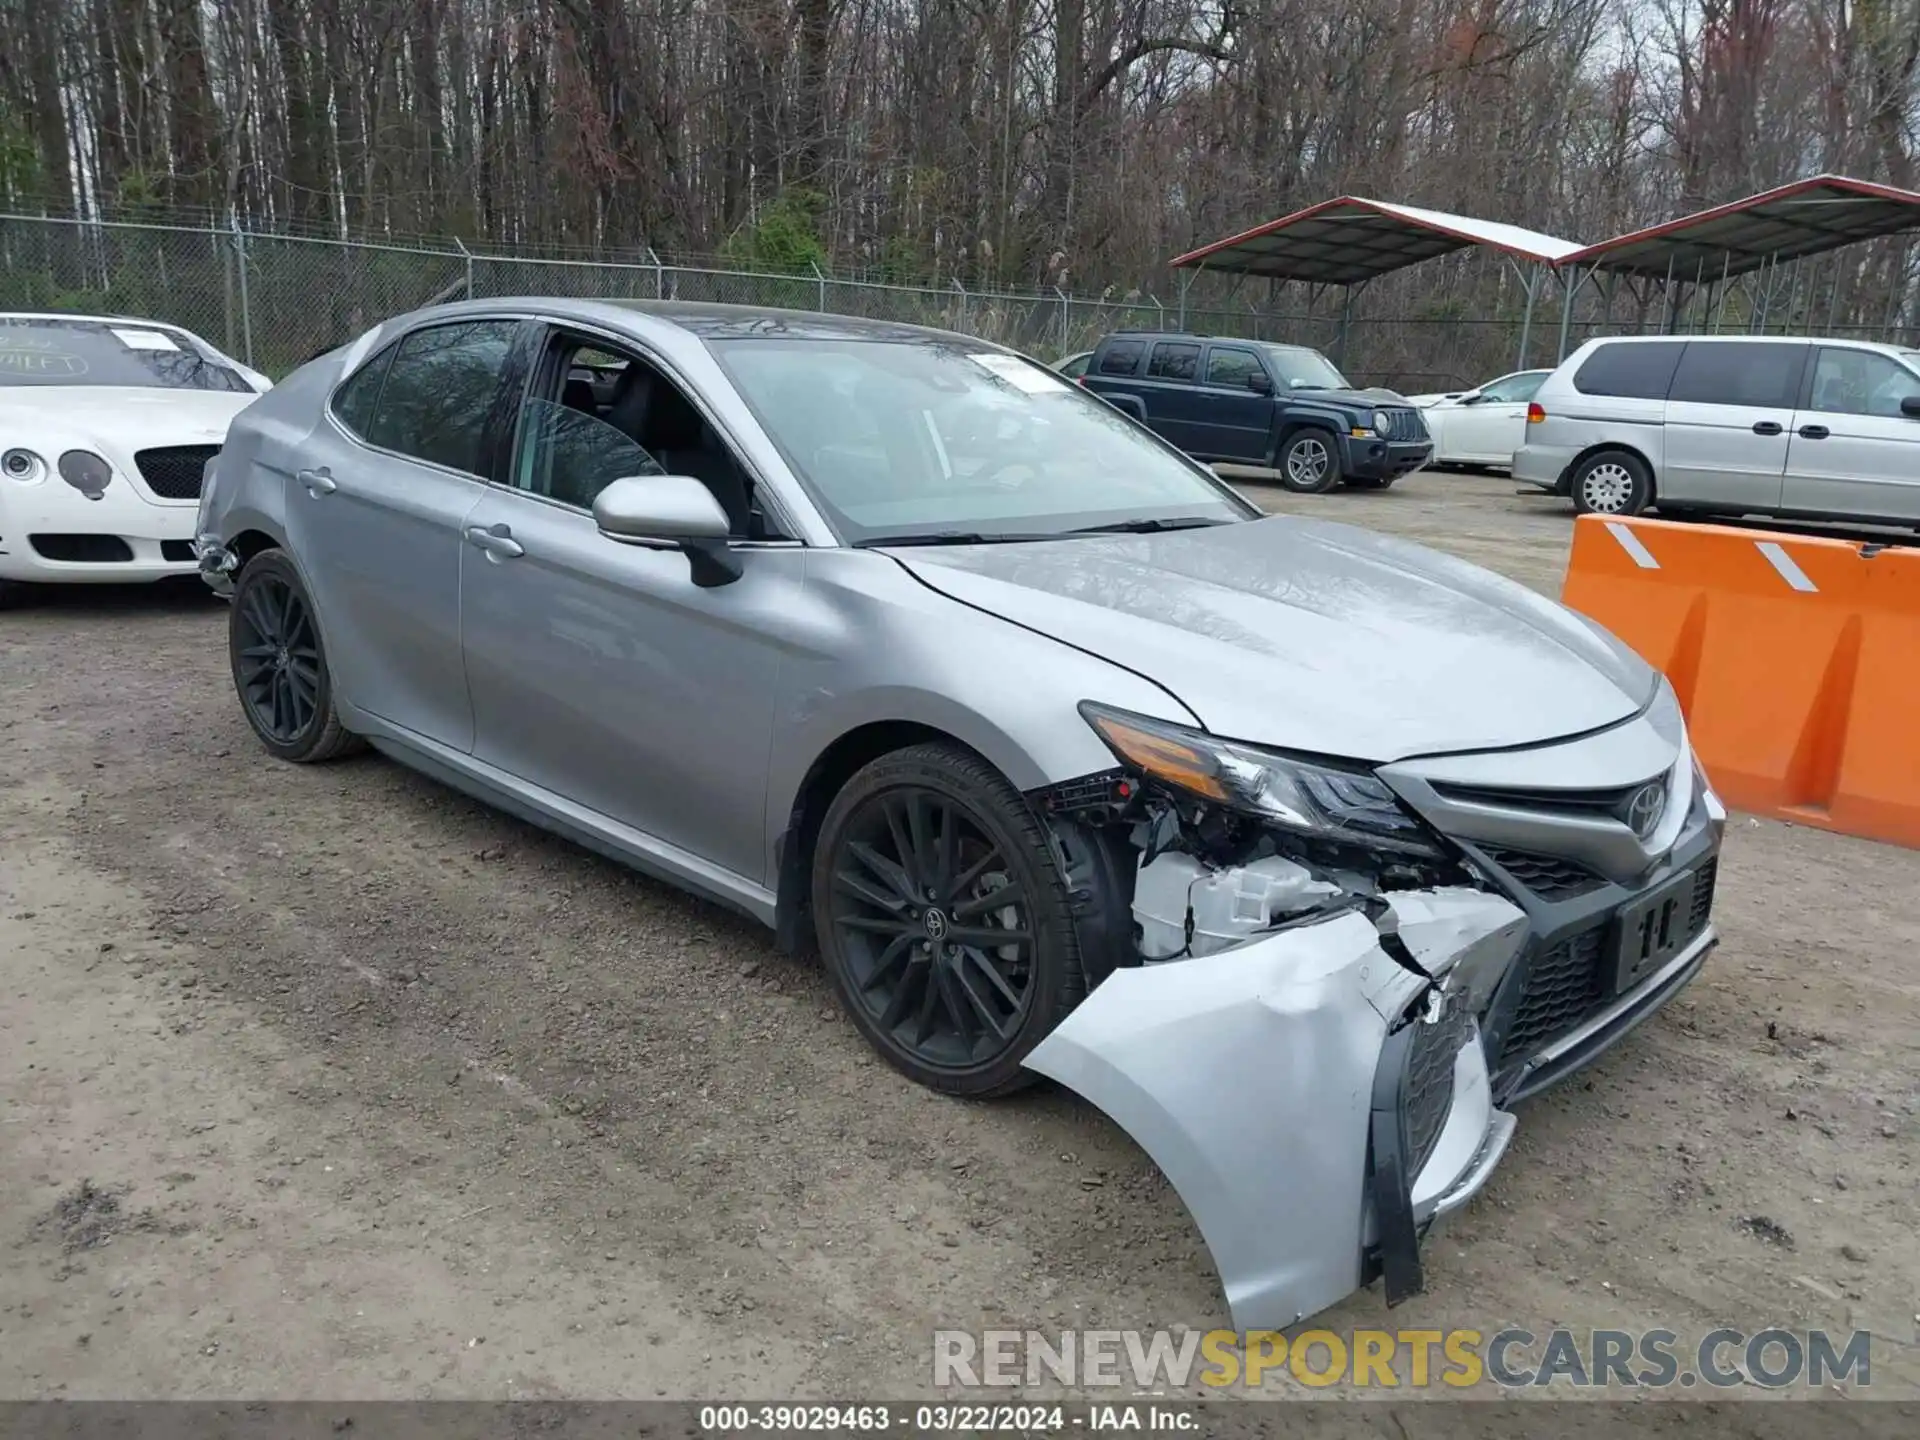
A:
[1312,636]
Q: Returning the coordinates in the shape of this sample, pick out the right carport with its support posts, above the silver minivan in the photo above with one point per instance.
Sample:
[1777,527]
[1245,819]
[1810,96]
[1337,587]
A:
[1708,251]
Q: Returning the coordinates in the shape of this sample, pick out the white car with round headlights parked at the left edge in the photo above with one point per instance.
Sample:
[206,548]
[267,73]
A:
[105,429]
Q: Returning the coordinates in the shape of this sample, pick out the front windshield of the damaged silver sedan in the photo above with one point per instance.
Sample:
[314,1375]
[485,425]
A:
[901,439]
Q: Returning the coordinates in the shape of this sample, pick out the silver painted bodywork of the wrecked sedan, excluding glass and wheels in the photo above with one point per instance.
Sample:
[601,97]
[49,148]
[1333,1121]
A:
[592,688]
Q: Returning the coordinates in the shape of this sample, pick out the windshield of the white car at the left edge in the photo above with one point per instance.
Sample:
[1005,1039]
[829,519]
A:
[60,352]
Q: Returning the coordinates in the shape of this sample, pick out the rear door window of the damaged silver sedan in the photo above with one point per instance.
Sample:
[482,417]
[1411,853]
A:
[441,391]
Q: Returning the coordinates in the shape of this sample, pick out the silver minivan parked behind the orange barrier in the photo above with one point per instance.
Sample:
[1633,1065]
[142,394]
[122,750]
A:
[1731,425]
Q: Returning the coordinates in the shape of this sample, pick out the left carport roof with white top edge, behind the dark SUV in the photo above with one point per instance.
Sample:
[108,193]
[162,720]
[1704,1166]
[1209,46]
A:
[1351,239]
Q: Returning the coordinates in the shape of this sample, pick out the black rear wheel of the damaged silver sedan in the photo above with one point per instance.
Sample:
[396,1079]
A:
[279,665]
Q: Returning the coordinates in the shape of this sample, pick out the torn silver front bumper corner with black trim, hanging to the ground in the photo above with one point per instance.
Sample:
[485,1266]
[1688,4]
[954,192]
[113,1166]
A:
[1316,1101]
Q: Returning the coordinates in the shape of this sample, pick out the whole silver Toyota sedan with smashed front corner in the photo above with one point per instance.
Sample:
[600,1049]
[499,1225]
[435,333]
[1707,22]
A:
[1301,852]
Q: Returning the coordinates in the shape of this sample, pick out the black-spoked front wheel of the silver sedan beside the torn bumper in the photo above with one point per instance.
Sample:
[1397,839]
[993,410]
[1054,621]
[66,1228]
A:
[944,921]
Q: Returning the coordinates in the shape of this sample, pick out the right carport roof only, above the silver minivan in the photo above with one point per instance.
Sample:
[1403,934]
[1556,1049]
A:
[1790,222]
